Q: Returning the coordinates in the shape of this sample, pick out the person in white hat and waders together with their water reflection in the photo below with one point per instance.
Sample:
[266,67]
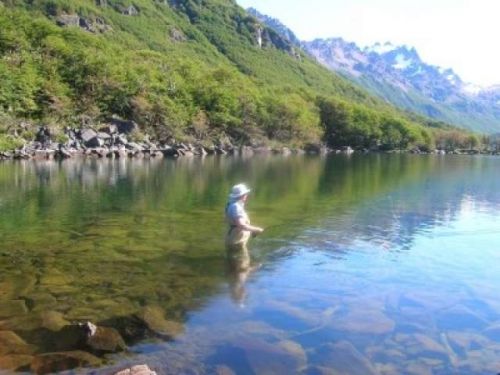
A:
[238,234]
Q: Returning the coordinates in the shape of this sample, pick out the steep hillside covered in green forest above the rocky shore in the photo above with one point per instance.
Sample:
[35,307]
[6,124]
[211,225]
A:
[192,70]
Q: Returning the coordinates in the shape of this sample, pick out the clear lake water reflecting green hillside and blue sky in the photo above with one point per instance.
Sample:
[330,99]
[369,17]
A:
[370,264]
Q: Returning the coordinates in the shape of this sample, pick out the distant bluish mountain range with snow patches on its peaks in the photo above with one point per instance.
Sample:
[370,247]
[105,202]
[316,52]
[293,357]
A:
[398,75]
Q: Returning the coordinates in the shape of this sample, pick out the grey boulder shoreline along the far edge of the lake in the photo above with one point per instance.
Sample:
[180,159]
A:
[120,139]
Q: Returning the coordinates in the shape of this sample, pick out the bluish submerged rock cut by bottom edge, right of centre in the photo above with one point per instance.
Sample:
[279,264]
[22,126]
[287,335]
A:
[344,358]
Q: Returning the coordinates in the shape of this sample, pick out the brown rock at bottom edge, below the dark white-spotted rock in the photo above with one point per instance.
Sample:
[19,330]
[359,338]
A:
[62,361]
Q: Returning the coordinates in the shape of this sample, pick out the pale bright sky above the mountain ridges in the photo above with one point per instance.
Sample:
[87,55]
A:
[458,34]
